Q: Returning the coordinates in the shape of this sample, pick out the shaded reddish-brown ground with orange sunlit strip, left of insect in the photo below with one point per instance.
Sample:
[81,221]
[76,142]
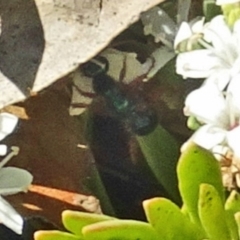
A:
[48,141]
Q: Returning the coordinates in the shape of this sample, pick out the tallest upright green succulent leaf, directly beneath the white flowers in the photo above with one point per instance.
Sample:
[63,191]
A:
[196,166]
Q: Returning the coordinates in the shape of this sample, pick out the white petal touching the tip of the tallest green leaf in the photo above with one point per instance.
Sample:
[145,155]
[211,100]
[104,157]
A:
[208,136]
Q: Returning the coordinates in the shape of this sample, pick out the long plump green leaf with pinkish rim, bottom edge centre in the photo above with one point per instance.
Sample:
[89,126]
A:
[120,230]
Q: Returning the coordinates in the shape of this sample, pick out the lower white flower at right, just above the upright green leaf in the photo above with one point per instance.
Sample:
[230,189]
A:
[220,118]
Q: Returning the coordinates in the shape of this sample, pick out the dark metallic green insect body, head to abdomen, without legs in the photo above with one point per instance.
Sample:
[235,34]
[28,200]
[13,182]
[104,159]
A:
[133,110]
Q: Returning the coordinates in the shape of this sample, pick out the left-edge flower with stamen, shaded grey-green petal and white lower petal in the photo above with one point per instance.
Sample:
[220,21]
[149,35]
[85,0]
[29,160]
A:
[12,180]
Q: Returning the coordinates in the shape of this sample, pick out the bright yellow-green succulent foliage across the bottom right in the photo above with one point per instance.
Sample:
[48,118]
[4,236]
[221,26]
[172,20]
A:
[204,215]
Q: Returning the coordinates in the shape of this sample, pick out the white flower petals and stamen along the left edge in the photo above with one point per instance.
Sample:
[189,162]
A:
[12,179]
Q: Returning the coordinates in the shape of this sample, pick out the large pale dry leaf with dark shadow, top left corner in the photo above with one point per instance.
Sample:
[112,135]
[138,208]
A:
[43,40]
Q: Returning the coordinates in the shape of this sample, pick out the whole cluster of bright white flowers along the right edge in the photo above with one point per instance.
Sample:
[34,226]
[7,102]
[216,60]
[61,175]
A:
[216,104]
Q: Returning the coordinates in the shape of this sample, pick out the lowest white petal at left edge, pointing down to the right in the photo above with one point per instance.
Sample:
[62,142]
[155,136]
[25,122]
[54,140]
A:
[9,217]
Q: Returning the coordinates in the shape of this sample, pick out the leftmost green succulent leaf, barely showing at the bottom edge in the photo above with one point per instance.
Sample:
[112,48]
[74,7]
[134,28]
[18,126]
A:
[55,235]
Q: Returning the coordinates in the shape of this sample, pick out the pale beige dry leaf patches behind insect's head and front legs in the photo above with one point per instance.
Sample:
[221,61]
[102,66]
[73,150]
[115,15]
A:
[117,59]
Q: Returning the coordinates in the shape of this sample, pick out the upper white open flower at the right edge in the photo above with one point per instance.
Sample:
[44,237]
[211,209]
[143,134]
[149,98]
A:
[219,62]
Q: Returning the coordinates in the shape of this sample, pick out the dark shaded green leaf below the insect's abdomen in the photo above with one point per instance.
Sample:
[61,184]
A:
[161,152]
